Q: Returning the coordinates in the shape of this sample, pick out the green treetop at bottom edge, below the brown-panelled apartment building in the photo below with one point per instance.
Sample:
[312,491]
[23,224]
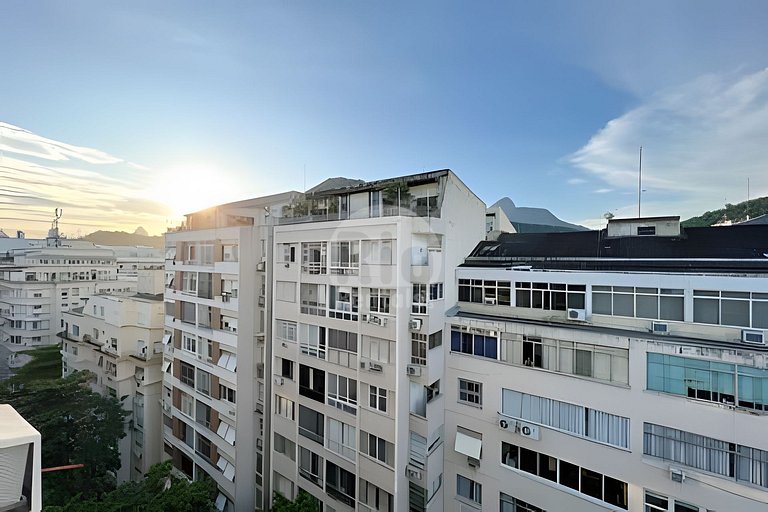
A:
[159,491]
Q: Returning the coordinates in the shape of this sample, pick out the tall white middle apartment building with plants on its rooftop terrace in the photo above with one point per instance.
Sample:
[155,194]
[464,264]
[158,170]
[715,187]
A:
[362,276]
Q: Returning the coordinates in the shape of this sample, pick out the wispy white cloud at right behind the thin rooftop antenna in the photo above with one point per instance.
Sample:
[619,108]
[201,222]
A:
[701,142]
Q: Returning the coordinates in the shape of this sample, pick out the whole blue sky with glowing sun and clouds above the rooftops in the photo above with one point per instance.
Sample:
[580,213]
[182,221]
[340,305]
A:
[127,114]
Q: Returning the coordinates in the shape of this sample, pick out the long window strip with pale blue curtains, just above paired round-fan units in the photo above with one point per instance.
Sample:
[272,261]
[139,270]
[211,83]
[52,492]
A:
[575,419]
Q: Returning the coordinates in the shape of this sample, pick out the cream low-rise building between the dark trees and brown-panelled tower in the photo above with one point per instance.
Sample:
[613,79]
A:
[119,339]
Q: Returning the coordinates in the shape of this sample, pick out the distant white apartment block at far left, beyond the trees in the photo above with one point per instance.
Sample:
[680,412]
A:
[42,279]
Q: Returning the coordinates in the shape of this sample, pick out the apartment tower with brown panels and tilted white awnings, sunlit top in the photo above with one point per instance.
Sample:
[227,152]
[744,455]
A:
[216,316]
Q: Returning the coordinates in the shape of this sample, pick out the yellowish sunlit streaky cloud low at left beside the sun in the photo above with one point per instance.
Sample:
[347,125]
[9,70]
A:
[95,189]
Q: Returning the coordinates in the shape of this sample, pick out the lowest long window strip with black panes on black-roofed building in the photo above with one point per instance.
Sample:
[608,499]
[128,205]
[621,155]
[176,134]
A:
[583,480]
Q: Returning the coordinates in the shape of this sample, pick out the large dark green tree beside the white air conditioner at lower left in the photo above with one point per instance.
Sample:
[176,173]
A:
[77,426]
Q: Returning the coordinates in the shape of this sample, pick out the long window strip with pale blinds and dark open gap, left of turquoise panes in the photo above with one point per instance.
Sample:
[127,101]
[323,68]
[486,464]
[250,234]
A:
[594,361]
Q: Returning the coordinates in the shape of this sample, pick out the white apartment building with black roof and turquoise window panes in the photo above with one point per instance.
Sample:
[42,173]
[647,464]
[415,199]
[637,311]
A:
[624,369]
